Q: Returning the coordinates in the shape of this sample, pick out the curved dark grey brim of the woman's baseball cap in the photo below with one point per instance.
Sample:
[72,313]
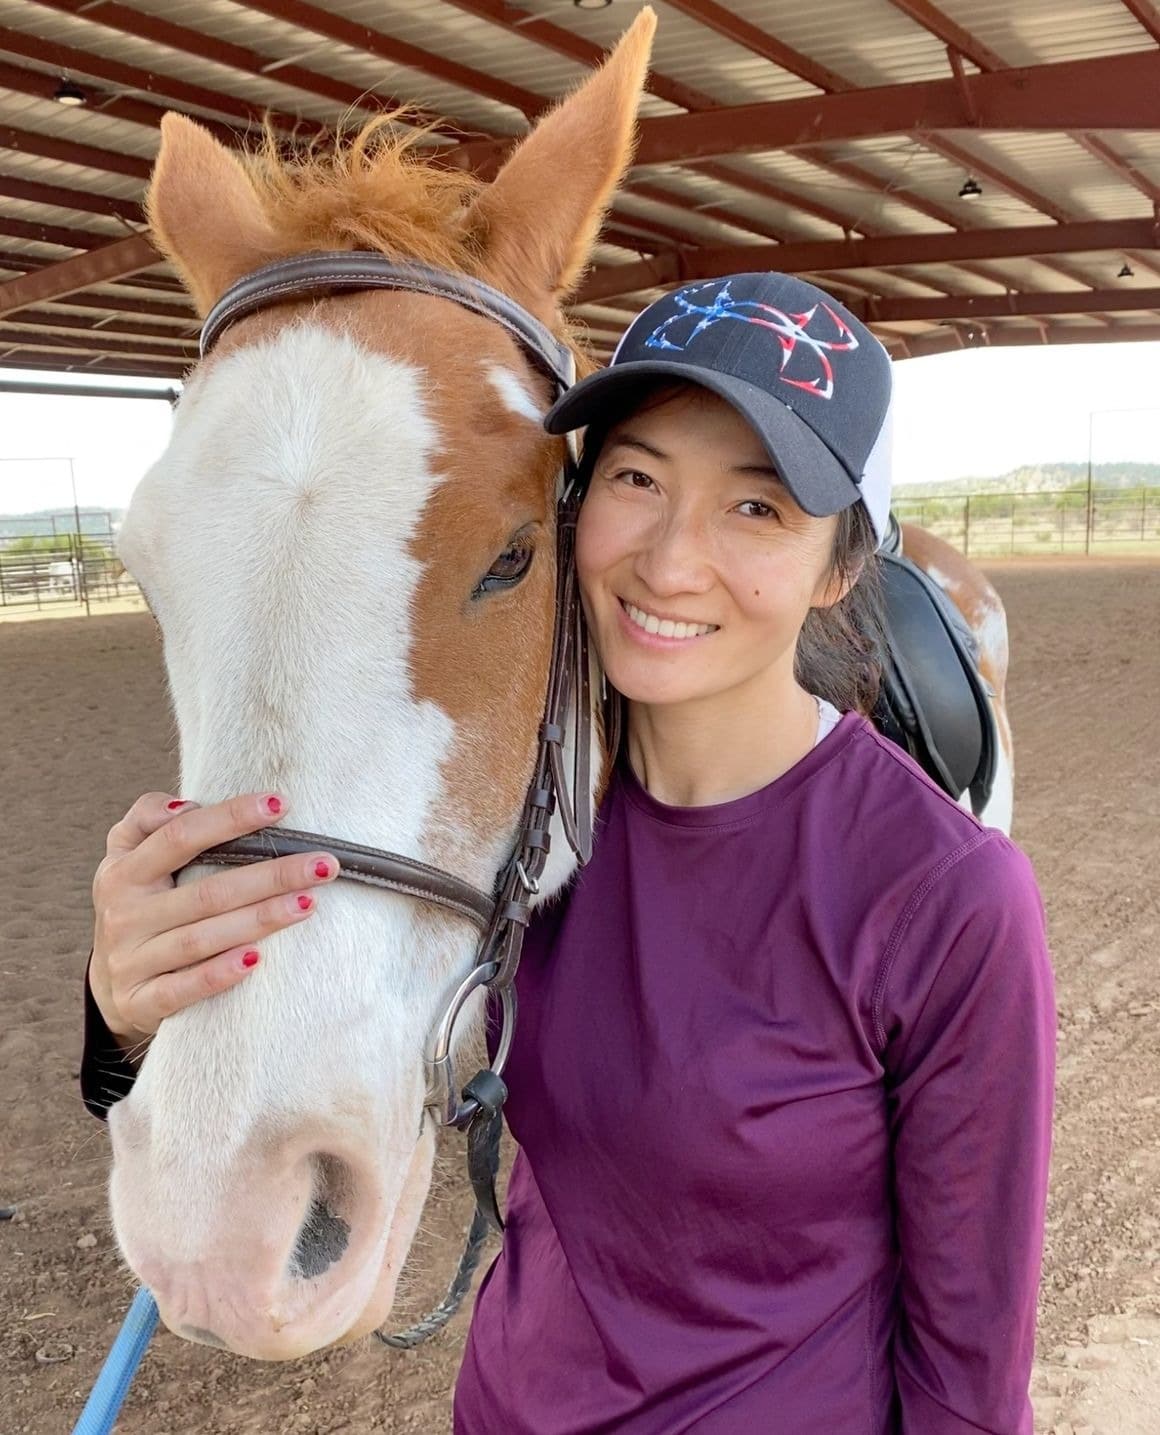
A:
[805,464]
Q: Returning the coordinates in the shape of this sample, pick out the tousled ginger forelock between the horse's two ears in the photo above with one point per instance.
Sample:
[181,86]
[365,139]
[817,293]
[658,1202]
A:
[370,190]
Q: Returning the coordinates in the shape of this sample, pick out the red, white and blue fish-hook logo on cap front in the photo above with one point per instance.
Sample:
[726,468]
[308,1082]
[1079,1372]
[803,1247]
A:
[700,311]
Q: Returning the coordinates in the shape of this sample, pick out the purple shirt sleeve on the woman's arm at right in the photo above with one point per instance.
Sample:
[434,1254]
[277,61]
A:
[967,1020]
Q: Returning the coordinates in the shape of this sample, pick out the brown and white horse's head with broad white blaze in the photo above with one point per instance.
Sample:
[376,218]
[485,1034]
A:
[335,546]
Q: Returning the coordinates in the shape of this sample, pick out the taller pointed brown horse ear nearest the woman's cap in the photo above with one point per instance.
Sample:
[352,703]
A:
[543,212]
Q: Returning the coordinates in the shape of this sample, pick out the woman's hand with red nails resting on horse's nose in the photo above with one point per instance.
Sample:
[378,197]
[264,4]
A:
[160,948]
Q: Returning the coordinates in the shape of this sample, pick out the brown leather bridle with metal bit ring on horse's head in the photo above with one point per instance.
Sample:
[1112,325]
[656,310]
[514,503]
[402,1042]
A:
[502,916]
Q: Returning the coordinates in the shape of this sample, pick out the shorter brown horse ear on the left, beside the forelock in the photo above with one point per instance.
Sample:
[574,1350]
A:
[205,213]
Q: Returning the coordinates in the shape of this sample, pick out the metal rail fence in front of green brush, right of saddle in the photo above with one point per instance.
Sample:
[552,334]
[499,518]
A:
[1073,522]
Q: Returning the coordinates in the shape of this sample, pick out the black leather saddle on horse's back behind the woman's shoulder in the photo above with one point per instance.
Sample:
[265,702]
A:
[934,701]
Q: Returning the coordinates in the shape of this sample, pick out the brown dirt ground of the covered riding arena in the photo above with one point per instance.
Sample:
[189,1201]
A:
[85,728]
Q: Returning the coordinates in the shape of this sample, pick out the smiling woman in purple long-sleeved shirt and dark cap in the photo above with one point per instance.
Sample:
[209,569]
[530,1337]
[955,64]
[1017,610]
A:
[783,1077]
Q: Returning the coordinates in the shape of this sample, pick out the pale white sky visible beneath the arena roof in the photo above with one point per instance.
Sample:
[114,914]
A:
[974,414]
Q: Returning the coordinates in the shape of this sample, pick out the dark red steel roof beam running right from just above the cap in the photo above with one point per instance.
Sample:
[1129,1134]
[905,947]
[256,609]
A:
[1023,242]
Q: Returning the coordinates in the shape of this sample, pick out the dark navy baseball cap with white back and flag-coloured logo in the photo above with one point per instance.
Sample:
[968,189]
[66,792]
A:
[810,380]
